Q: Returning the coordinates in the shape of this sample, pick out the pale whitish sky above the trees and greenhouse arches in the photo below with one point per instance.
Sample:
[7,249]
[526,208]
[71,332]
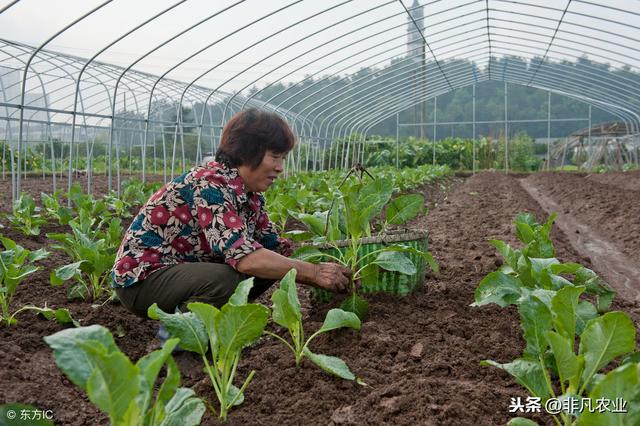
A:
[248,49]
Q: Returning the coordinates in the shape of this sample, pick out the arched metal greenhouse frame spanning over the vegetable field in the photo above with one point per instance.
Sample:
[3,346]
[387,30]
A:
[47,95]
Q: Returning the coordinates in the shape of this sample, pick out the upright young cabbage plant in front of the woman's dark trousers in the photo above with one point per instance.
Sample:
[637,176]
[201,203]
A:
[219,336]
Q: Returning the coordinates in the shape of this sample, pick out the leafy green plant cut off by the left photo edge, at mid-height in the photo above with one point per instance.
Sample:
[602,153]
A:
[16,263]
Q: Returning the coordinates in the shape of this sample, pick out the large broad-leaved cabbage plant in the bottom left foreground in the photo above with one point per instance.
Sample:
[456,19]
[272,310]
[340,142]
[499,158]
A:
[121,389]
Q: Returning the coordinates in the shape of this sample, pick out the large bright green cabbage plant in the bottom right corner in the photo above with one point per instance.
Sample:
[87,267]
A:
[551,322]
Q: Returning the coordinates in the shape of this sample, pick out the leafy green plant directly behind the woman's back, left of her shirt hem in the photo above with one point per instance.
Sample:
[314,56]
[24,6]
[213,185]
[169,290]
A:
[93,254]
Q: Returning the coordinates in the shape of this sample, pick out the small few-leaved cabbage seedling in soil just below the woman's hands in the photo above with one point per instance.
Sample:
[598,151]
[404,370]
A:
[286,313]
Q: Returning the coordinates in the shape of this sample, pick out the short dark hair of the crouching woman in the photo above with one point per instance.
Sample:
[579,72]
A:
[249,134]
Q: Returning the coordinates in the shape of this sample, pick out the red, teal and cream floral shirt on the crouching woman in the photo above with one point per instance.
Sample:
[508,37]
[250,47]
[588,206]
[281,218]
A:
[204,215]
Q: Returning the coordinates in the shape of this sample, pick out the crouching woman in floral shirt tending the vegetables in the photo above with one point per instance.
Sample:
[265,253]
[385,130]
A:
[205,231]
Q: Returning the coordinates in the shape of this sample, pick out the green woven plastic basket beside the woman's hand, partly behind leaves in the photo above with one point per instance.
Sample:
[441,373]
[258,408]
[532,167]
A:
[388,281]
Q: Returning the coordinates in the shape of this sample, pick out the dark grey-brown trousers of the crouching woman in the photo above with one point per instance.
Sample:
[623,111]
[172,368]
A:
[177,285]
